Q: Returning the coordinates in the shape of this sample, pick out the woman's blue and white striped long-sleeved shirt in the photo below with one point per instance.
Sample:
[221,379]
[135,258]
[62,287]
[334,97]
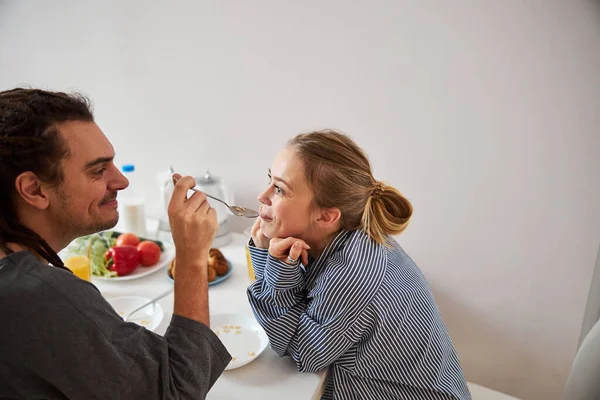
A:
[366,312]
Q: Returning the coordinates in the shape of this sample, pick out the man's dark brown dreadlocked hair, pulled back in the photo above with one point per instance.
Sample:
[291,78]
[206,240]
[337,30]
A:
[30,141]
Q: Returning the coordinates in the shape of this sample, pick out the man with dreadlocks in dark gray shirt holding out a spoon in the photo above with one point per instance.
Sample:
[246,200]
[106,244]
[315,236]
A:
[59,338]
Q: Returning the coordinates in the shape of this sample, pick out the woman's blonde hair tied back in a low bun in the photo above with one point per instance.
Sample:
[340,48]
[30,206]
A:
[340,175]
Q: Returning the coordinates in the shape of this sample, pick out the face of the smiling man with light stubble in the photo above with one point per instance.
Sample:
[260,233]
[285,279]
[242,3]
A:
[86,201]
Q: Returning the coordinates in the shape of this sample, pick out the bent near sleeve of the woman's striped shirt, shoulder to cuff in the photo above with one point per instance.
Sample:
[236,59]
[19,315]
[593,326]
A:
[314,328]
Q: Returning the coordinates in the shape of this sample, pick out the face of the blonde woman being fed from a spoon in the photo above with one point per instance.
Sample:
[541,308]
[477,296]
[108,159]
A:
[287,208]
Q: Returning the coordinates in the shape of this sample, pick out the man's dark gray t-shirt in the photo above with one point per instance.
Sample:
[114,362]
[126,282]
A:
[59,339]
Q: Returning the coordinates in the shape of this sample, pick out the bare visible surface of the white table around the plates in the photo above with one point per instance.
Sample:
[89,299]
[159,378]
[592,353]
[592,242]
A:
[267,377]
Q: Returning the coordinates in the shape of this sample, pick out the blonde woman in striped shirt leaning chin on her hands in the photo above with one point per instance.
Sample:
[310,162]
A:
[334,290]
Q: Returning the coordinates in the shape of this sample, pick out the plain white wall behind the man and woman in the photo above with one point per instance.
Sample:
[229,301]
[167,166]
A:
[485,114]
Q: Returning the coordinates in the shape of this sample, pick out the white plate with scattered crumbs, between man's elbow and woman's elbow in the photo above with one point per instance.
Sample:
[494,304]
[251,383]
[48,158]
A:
[241,335]
